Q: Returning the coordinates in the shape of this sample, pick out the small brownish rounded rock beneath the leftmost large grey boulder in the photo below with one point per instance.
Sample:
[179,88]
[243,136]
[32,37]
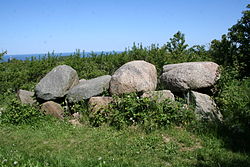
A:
[52,108]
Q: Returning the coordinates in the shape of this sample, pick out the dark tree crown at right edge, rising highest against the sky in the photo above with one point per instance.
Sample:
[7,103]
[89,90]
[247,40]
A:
[235,46]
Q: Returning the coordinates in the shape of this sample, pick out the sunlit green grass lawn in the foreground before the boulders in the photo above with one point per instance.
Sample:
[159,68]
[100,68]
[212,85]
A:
[56,143]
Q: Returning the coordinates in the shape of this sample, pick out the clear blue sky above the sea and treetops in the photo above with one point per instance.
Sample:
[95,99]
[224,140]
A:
[41,26]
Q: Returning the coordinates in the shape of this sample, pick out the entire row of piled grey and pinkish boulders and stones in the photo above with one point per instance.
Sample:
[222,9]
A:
[62,82]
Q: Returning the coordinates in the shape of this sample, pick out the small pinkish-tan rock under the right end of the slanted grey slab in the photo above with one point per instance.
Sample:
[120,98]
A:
[97,103]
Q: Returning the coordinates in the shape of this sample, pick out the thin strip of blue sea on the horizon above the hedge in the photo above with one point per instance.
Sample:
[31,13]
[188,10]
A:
[28,56]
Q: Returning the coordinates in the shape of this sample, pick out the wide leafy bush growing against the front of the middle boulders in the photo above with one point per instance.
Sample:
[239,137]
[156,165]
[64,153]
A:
[132,110]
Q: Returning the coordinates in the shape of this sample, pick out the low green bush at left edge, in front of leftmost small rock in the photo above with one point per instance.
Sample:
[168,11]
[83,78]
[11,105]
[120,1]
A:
[17,113]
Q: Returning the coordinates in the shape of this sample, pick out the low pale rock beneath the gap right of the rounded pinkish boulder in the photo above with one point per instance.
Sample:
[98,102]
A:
[159,96]
